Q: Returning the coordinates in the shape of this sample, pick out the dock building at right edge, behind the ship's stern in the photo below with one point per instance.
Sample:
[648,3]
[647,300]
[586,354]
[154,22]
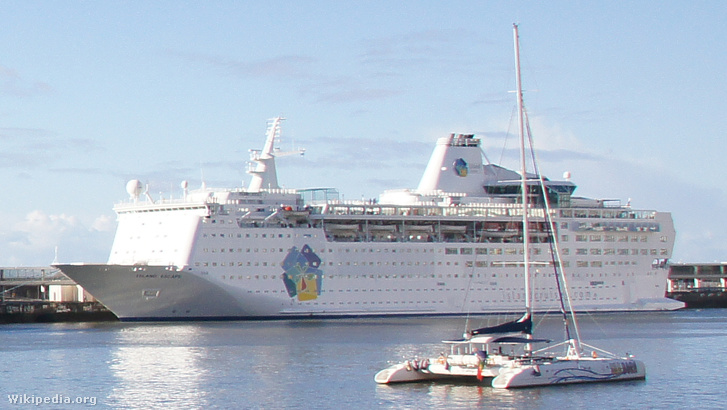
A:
[698,285]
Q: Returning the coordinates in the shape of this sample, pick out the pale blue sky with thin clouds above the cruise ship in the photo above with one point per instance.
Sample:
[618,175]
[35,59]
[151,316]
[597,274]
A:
[629,97]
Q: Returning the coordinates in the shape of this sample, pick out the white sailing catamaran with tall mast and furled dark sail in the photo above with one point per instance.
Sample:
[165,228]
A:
[473,357]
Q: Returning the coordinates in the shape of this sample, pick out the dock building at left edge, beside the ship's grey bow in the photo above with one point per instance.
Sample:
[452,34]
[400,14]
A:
[45,294]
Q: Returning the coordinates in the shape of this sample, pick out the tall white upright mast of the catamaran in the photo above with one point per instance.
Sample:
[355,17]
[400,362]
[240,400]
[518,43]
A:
[524,182]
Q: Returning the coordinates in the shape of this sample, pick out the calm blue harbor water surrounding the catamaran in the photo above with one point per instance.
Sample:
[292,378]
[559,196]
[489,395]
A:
[331,364]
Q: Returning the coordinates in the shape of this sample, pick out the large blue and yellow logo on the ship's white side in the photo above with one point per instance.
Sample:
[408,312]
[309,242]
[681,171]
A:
[301,276]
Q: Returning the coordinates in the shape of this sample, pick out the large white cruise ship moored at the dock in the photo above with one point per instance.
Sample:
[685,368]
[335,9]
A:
[451,246]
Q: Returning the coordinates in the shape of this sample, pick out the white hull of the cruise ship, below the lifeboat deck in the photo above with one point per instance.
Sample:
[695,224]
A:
[356,279]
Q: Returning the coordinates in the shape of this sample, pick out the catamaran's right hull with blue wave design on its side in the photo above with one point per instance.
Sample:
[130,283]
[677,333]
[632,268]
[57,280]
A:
[583,370]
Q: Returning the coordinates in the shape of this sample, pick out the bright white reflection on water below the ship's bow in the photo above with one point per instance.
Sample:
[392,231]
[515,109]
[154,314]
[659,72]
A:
[156,366]
